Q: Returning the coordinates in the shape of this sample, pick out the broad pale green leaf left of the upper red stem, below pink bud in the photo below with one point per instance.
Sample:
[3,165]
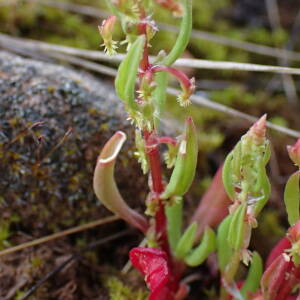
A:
[127,73]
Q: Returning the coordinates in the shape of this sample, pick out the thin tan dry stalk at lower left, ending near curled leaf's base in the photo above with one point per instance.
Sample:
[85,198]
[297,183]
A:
[59,235]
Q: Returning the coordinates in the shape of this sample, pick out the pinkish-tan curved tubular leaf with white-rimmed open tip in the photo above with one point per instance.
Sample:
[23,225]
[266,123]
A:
[105,187]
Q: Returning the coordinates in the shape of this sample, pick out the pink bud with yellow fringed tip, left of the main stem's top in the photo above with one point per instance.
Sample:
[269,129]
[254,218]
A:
[106,30]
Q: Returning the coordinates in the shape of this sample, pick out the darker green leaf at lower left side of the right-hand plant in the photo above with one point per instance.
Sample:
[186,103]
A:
[224,251]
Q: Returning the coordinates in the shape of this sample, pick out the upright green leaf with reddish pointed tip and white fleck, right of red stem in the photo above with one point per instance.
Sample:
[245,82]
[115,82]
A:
[185,165]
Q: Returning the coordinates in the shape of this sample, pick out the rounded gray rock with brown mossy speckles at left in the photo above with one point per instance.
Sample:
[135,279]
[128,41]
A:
[46,176]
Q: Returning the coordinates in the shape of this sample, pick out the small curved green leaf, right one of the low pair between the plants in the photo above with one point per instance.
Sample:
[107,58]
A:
[200,254]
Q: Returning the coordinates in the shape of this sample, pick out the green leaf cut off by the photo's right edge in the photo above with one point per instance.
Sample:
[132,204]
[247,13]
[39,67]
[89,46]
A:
[292,198]
